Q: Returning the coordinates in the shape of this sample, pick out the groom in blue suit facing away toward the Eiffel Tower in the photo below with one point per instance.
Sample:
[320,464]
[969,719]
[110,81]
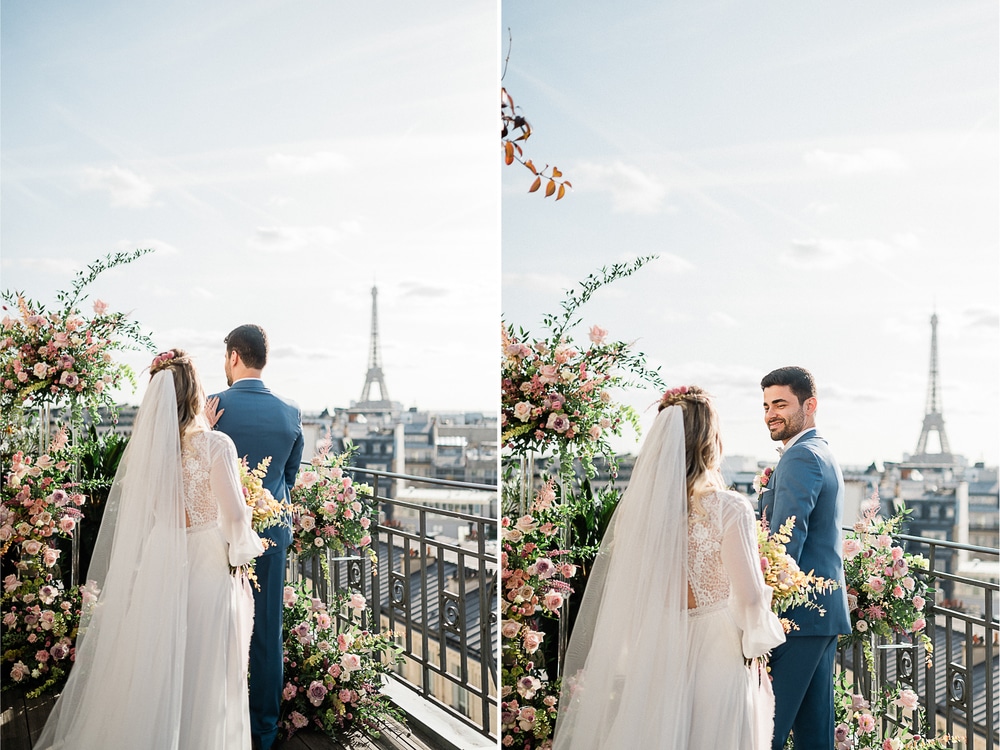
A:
[262,424]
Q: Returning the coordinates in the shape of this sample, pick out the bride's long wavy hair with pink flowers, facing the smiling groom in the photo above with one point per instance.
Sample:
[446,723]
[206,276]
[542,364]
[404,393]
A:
[702,442]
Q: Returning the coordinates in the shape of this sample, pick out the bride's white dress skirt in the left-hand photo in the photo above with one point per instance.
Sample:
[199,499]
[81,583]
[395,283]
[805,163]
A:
[215,706]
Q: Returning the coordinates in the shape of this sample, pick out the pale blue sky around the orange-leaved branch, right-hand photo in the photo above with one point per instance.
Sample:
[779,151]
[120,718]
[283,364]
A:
[817,180]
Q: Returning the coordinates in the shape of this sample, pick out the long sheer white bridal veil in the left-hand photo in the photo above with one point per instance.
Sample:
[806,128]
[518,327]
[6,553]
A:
[124,690]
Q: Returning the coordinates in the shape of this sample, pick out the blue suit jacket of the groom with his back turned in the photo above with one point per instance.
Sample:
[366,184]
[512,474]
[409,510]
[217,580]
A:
[263,424]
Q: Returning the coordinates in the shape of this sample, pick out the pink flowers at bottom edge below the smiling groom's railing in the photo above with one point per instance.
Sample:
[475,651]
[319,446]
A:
[858,721]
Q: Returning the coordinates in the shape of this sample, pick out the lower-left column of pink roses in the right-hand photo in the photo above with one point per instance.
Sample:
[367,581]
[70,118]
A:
[535,575]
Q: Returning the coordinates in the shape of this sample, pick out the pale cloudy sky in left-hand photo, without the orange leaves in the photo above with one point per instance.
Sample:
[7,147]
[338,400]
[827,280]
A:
[281,159]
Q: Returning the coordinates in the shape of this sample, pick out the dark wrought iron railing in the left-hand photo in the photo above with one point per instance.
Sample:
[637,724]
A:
[437,592]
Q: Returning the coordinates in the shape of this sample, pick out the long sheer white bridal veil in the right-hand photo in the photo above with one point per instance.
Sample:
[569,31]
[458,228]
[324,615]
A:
[625,674]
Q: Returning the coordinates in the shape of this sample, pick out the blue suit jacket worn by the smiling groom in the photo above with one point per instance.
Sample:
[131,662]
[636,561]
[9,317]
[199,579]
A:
[807,484]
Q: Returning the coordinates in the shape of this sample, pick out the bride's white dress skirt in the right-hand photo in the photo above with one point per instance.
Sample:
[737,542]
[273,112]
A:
[730,707]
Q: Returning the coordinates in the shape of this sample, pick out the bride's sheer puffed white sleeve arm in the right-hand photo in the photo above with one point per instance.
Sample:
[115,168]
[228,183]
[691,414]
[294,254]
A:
[750,600]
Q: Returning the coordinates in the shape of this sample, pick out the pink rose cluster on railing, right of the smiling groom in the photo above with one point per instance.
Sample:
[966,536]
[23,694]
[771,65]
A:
[885,591]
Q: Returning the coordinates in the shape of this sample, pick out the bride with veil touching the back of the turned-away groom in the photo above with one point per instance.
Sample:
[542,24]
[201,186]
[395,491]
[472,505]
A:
[161,658]
